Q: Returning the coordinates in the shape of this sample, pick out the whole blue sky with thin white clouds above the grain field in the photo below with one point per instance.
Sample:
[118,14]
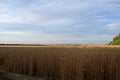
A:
[59,21]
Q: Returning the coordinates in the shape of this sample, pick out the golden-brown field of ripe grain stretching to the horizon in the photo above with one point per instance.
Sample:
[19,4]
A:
[62,62]
